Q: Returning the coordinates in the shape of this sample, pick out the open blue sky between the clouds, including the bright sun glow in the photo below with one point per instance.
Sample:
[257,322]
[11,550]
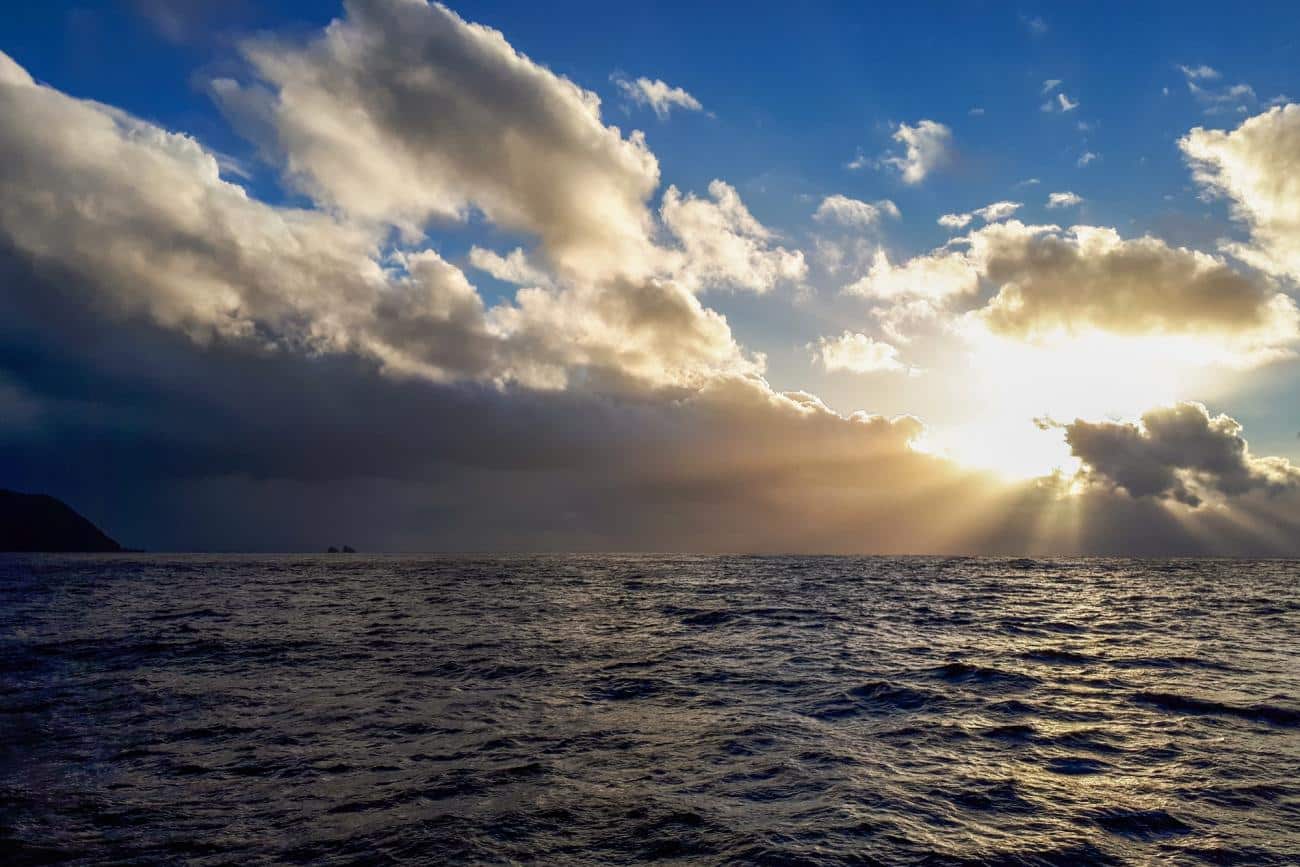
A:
[803,105]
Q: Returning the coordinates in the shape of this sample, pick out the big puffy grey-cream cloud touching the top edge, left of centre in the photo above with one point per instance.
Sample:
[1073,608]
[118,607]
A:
[402,112]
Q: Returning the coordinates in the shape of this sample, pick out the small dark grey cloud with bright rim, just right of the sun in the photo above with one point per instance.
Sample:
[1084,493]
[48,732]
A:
[1180,453]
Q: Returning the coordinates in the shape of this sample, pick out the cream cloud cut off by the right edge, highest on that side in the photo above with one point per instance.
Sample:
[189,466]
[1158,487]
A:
[1258,168]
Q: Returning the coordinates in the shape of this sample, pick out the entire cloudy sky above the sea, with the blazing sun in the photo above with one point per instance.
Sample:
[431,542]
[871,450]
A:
[929,279]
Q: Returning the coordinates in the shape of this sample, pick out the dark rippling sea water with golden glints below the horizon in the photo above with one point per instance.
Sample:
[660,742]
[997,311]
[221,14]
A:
[625,709]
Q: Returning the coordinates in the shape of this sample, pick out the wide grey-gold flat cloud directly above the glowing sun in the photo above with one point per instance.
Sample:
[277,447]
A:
[1046,281]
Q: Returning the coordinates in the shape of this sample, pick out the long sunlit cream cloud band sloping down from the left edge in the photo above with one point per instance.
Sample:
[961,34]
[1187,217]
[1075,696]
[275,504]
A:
[144,226]
